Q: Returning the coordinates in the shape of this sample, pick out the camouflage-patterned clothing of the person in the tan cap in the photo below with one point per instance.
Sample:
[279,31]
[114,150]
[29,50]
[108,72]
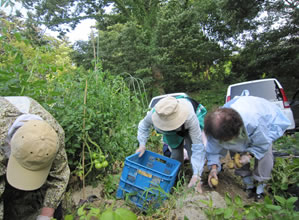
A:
[18,204]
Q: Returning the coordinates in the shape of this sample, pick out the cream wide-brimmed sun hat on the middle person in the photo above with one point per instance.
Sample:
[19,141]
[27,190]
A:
[170,113]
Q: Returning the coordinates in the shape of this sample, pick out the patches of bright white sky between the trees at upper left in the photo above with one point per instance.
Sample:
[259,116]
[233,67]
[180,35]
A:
[81,32]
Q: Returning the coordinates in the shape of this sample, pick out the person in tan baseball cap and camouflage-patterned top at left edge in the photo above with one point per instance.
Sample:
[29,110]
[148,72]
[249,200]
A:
[34,170]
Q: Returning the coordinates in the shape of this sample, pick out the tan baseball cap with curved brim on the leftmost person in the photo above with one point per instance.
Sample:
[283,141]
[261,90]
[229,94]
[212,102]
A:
[33,149]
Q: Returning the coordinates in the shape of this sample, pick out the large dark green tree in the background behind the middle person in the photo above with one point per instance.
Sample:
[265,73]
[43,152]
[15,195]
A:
[174,46]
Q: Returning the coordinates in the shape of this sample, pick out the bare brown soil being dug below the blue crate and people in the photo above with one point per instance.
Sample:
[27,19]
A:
[187,205]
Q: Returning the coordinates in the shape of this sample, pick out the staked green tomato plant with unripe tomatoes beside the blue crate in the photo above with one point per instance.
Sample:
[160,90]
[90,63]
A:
[99,112]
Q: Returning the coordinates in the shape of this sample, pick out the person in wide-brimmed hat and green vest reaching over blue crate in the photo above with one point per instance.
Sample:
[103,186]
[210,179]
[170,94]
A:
[178,122]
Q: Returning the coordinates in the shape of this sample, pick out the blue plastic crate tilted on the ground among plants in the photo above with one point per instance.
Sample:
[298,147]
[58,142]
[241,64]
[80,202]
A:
[141,175]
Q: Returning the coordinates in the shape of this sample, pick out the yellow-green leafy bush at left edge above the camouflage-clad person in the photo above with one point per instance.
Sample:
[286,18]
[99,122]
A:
[27,68]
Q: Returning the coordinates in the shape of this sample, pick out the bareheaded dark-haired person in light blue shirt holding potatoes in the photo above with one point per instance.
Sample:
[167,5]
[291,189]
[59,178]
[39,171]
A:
[247,125]
